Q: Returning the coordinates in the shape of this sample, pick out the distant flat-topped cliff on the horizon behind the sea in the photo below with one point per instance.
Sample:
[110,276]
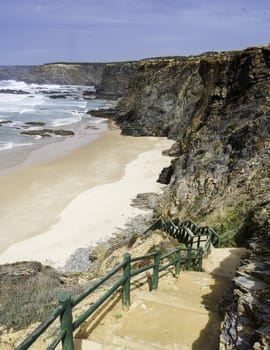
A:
[110,79]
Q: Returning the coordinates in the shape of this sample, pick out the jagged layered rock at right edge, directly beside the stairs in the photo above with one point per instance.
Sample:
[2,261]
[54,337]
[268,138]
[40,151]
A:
[246,306]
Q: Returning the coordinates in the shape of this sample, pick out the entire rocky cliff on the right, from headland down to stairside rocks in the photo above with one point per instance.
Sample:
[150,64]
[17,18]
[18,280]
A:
[217,108]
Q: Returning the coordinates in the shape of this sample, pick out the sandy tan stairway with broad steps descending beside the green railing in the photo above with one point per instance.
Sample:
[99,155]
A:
[182,314]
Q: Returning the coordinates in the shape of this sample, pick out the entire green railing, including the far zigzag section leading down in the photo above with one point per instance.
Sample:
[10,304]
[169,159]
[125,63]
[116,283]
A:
[180,258]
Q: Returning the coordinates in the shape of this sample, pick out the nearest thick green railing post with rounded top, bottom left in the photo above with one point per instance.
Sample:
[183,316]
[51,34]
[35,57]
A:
[66,321]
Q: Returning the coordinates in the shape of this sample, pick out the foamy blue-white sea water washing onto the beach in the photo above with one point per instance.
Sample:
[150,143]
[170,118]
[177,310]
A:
[56,106]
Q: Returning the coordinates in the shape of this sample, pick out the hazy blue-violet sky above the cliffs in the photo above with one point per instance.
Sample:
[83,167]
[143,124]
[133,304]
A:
[42,31]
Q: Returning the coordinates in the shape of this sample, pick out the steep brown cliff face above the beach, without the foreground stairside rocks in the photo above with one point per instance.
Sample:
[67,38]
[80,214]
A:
[217,108]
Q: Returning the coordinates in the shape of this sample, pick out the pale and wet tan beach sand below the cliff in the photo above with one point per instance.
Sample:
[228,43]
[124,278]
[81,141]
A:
[51,208]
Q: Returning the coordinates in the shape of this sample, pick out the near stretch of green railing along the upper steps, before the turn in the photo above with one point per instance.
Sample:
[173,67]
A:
[179,258]
